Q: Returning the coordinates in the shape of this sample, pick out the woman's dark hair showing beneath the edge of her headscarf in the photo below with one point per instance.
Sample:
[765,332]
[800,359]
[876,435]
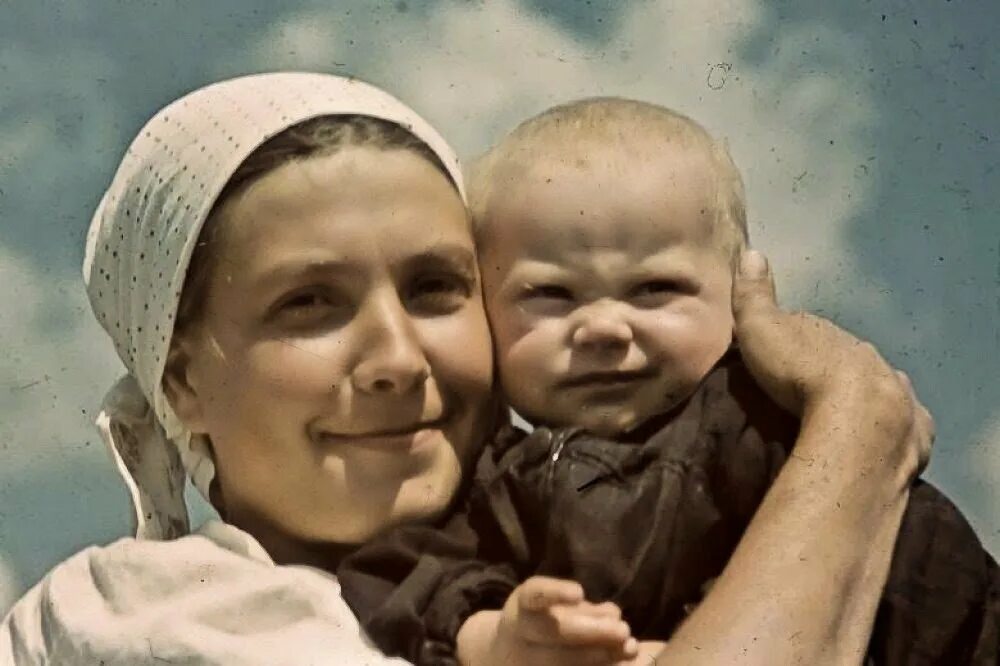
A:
[317,137]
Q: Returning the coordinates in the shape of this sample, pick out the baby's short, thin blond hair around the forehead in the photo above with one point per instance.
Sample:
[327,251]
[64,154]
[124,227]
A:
[609,121]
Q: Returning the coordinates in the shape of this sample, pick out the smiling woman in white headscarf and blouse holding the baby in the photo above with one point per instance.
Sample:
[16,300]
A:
[317,361]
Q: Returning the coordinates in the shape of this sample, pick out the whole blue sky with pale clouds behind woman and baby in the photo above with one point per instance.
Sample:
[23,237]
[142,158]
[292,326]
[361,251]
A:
[867,133]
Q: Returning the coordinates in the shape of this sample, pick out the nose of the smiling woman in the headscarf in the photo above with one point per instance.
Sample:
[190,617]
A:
[392,360]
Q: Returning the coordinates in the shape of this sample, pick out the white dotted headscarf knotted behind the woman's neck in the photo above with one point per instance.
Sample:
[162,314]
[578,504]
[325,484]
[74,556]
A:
[140,243]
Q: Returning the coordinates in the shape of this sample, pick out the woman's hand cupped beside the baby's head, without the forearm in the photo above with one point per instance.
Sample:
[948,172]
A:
[806,363]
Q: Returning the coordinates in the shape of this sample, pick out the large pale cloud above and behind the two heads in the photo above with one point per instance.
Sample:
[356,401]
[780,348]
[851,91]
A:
[475,69]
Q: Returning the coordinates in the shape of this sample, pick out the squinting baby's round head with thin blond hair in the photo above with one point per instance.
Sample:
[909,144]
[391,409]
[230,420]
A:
[608,231]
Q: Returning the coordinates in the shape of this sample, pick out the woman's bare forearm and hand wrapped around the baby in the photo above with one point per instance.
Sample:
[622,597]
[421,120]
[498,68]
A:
[804,583]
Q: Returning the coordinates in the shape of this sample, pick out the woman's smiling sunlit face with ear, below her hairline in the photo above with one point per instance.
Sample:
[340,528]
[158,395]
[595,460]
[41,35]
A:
[343,367]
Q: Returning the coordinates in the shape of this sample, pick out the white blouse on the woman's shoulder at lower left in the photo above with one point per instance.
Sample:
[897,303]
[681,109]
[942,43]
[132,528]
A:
[214,597]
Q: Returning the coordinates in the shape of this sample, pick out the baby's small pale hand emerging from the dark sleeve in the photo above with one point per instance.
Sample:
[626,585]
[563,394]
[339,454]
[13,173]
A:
[547,621]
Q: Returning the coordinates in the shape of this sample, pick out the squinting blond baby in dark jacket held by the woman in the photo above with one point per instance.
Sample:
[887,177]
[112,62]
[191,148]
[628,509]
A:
[608,233]
